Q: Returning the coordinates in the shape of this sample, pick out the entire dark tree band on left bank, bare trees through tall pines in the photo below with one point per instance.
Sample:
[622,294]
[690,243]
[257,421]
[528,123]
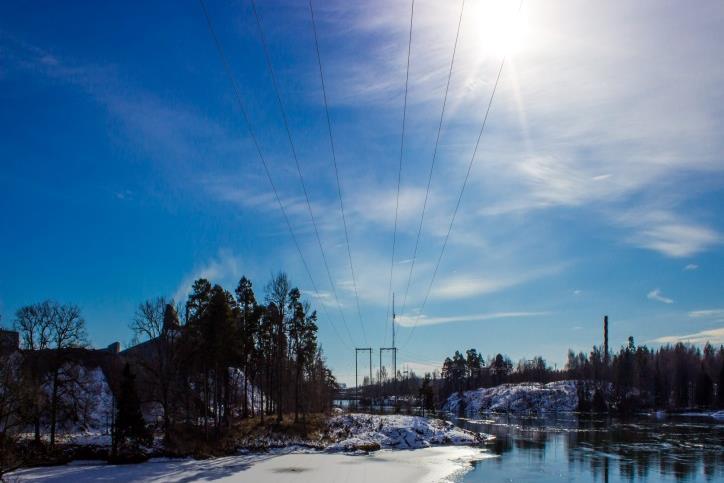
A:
[196,367]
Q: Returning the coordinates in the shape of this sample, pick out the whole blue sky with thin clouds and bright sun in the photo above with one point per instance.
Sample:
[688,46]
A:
[127,170]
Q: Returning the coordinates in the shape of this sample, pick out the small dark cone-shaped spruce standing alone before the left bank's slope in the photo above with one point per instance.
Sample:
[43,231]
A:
[130,432]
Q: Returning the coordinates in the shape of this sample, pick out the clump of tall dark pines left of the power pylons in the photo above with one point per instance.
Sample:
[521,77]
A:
[231,357]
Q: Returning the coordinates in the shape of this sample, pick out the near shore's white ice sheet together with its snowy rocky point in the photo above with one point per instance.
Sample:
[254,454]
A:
[352,448]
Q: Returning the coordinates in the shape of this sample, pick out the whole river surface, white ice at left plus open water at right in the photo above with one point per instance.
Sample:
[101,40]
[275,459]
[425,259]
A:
[556,448]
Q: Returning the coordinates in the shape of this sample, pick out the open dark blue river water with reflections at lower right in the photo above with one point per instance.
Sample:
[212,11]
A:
[571,448]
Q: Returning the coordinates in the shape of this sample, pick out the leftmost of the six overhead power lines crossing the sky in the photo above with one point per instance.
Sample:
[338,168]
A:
[252,134]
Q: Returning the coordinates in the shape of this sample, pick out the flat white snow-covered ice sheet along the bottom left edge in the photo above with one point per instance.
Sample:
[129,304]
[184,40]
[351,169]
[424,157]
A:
[424,465]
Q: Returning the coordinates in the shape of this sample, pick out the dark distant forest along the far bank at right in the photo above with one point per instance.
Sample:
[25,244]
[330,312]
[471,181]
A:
[672,377]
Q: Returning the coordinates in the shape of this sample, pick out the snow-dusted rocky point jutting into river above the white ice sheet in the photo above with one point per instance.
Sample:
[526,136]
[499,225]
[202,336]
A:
[370,432]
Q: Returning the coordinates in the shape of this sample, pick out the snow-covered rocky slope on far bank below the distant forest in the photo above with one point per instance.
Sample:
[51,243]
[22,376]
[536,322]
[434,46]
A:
[559,396]
